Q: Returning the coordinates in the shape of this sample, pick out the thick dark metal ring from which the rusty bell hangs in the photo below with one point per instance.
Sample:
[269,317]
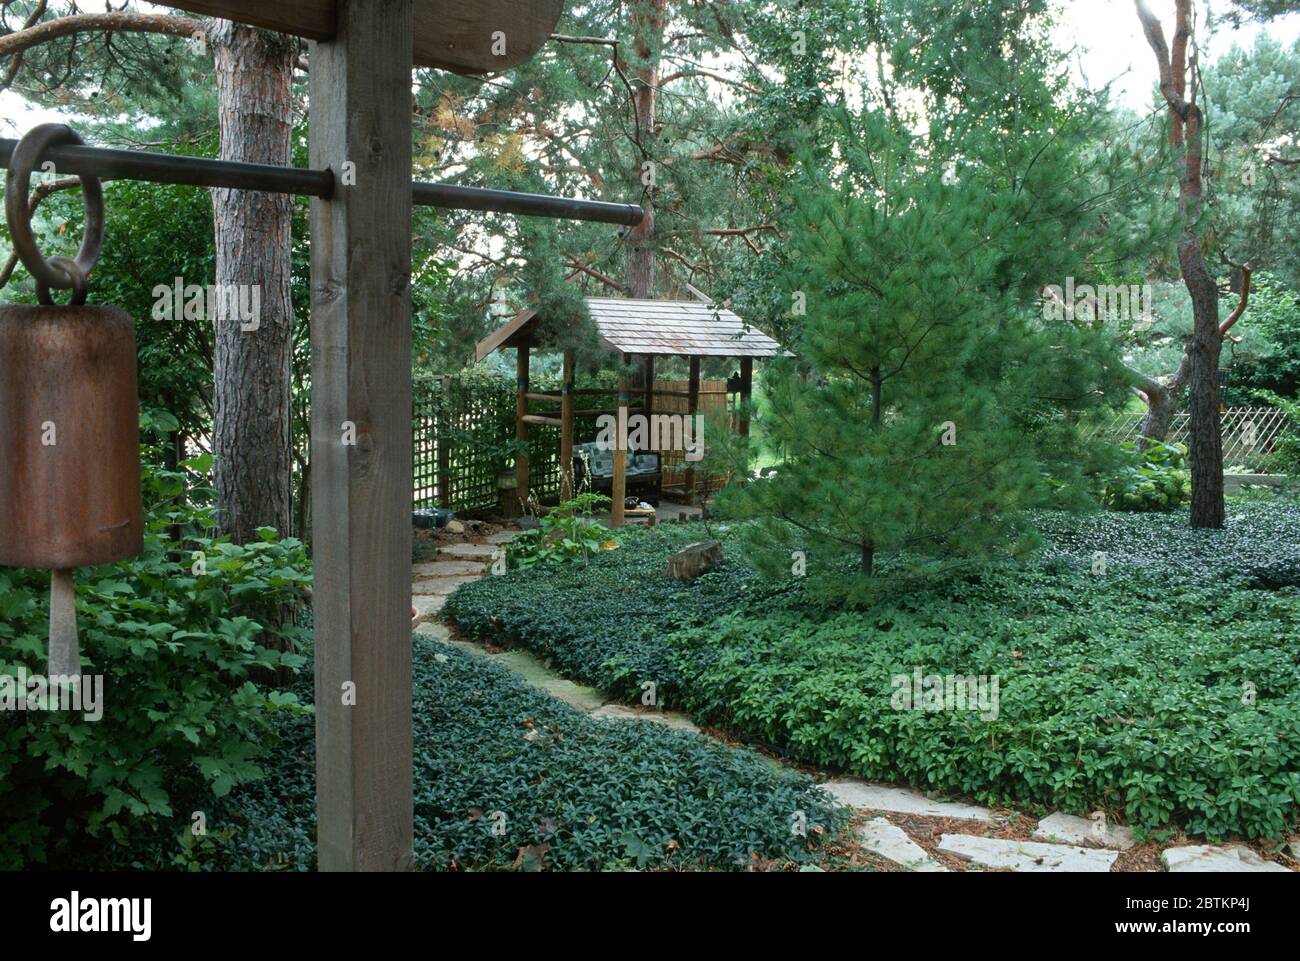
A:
[60,274]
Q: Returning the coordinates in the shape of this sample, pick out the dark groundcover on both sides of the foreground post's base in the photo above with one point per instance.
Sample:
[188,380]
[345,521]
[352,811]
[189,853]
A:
[508,777]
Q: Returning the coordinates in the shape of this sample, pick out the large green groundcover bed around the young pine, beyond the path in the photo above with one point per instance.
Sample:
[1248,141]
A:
[1145,669]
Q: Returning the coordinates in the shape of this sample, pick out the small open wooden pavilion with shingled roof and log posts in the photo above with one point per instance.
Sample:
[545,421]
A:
[636,331]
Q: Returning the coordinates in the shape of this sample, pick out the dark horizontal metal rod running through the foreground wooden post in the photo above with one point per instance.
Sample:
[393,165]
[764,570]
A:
[201,172]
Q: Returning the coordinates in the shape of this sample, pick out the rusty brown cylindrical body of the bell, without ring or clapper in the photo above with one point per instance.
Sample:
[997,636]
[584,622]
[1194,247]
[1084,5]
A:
[70,438]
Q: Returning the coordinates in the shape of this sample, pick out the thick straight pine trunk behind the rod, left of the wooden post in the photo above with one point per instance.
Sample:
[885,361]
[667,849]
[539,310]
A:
[252,369]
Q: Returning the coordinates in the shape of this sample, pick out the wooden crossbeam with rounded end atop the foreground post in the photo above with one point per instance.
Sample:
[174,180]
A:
[463,36]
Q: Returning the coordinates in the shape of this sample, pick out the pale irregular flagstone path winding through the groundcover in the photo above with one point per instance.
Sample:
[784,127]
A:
[1060,842]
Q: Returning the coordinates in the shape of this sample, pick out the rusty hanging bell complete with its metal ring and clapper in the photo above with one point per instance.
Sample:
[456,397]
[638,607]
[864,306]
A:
[70,419]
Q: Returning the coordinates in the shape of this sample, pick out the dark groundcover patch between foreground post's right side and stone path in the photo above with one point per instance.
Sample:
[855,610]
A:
[580,794]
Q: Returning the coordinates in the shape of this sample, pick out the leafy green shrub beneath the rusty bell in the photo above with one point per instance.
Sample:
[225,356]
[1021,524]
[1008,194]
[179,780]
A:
[187,711]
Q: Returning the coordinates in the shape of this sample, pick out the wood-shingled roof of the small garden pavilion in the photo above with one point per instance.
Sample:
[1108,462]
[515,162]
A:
[675,328]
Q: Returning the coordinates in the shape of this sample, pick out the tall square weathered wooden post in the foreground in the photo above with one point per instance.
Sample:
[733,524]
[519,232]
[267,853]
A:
[361,334]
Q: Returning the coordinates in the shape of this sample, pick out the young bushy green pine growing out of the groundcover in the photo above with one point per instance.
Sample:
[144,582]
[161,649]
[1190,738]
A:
[929,395]
